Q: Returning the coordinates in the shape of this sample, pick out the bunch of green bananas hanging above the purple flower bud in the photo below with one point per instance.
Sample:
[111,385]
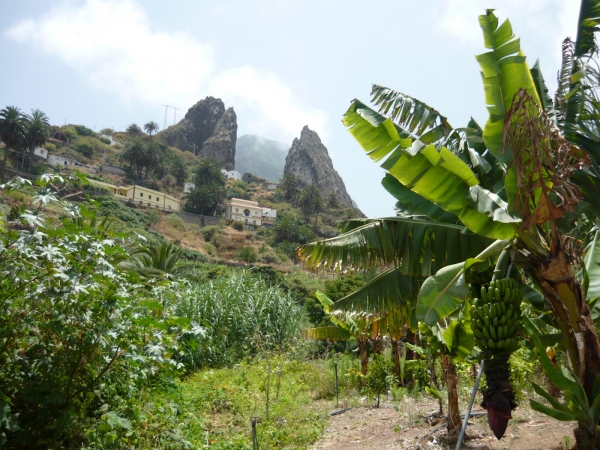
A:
[497,314]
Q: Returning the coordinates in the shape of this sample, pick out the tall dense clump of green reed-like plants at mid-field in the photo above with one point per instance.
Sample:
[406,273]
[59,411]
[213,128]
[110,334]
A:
[240,315]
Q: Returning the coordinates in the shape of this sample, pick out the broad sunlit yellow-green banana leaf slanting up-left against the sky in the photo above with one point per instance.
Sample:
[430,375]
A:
[438,176]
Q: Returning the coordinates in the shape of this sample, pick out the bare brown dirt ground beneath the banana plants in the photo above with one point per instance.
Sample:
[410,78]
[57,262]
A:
[395,427]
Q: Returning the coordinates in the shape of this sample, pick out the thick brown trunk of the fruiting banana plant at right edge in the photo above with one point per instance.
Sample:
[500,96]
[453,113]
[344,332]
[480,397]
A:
[564,293]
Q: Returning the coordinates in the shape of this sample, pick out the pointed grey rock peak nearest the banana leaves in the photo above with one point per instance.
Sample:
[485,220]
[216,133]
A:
[309,161]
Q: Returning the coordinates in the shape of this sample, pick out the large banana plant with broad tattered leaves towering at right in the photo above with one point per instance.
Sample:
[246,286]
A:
[487,180]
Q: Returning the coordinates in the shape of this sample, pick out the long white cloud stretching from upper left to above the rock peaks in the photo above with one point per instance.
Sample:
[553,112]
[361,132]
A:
[114,47]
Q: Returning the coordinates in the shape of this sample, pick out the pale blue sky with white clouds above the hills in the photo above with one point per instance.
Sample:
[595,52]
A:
[281,64]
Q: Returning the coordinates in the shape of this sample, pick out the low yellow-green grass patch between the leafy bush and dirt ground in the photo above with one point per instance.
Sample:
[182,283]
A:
[225,400]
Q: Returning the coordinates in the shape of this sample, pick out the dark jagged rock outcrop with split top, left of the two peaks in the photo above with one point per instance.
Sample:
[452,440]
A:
[209,129]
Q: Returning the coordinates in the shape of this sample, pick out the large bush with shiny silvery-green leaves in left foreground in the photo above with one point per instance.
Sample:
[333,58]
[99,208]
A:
[80,339]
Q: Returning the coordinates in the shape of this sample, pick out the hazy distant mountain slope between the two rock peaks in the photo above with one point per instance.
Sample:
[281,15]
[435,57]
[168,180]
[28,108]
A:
[260,157]
